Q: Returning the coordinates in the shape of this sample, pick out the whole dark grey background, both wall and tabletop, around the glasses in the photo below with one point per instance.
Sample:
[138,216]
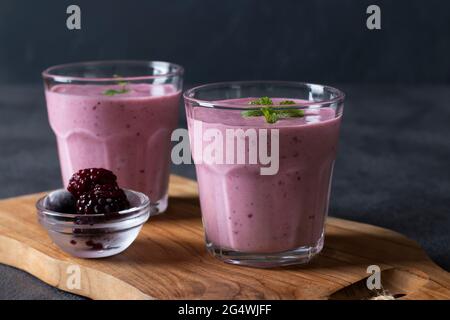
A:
[392,167]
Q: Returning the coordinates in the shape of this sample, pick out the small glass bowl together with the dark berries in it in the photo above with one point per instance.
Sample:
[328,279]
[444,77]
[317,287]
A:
[93,218]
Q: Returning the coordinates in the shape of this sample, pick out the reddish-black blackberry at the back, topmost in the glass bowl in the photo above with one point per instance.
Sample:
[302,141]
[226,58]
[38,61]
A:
[85,180]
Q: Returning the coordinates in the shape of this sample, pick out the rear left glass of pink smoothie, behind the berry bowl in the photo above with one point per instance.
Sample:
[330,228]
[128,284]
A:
[117,115]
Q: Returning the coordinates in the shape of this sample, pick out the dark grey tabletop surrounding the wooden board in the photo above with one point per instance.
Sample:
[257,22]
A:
[392,169]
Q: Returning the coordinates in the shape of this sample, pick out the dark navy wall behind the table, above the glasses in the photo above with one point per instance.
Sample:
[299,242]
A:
[318,41]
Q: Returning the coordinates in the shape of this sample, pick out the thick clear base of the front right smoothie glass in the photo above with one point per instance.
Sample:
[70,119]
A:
[299,255]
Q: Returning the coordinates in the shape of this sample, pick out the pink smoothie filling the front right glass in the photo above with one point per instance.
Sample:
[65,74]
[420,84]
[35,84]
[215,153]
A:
[245,211]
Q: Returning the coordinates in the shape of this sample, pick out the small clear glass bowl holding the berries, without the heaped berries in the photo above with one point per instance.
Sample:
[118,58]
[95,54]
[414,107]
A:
[96,235]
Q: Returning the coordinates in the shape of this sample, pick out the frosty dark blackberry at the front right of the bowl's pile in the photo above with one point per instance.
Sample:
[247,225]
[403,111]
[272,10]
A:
[104,199]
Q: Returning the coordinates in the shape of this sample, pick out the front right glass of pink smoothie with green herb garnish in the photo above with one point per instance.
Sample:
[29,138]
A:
[255,219]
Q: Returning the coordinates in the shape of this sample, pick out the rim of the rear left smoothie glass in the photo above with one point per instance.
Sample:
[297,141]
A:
[48,73]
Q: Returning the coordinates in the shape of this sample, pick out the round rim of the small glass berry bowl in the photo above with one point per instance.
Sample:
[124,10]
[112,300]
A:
[123,213]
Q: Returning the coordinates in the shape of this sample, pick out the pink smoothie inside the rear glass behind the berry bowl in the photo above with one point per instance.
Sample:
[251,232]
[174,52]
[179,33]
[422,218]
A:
[127,133]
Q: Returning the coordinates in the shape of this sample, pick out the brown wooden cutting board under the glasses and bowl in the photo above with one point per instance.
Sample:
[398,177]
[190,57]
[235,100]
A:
[168,260]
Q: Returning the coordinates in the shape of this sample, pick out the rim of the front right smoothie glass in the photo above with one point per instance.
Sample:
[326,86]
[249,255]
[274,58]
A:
[187,95]
